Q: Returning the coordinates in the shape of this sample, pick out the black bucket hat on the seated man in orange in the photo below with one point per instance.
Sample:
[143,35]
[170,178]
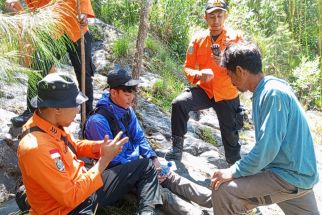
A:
[58,90]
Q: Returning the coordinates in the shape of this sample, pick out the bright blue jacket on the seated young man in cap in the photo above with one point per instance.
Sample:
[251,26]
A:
[97,127]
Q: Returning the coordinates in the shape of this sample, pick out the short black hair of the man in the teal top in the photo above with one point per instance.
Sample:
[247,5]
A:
[245,55]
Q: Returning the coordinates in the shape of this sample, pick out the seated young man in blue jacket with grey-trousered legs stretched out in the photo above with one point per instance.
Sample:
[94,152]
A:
[113,113]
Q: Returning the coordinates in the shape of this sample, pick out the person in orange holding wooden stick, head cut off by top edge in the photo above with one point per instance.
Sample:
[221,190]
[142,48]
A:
[71,27]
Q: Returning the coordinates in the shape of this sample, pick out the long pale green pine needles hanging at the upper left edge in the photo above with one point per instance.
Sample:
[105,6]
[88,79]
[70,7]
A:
[23,35]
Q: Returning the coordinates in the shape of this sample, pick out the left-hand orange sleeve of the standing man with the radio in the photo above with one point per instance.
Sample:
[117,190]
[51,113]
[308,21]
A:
[191,61]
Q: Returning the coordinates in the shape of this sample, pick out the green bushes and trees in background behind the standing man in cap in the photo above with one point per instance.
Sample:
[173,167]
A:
[286,31]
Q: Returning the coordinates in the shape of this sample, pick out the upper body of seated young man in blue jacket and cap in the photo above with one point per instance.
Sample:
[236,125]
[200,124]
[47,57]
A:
[118,103]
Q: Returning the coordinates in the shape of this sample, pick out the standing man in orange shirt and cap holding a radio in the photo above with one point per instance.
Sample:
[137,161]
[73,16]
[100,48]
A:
[214,88]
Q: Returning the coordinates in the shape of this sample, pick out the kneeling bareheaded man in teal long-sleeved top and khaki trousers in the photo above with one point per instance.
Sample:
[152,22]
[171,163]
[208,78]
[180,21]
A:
[281,168]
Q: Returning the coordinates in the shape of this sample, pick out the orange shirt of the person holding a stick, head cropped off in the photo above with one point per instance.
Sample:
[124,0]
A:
[68,11]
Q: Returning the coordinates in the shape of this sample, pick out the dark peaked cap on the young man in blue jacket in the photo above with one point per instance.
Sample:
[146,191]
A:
[119,78]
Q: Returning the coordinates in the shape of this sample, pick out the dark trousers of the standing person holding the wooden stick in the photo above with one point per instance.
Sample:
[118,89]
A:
[74,51]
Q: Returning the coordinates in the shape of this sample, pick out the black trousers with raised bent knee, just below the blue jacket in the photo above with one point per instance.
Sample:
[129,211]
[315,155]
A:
[119,180]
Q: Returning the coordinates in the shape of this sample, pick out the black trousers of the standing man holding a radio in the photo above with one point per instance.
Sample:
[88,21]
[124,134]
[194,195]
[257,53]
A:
[194,99]
